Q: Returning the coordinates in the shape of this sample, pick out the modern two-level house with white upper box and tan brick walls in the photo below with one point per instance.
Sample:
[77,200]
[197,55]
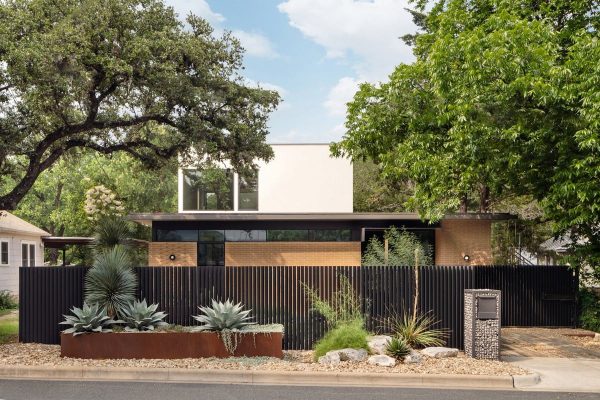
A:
[295,210]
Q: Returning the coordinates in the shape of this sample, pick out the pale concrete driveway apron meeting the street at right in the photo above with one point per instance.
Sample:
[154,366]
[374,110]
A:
[562,374]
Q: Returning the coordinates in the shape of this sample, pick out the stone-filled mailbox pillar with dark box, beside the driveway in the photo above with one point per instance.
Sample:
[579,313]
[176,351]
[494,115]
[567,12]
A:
[482,323]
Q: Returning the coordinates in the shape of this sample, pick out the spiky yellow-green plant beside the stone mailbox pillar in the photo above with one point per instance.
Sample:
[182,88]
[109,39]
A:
[416,331]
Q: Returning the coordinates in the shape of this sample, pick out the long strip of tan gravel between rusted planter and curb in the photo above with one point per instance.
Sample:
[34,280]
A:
[49,355]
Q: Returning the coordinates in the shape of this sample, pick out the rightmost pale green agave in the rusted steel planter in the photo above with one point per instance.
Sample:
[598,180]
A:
[223,316]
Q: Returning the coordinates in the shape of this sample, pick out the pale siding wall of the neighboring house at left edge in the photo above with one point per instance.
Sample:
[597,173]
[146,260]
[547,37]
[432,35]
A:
[9,274]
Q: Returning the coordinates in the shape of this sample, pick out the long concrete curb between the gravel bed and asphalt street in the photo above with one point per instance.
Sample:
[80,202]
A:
[267,378]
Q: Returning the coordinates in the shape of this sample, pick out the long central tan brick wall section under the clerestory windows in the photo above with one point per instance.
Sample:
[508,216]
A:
[292,253]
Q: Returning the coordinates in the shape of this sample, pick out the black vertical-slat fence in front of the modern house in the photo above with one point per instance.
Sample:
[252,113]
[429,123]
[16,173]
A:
[531,295]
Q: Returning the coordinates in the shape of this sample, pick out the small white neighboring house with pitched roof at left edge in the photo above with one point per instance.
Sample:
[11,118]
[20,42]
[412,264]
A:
[20,245]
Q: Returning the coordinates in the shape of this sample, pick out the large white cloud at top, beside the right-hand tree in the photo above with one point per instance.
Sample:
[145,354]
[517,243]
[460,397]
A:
[368,30]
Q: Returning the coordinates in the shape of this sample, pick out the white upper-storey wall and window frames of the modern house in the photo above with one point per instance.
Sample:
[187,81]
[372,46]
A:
[301,178]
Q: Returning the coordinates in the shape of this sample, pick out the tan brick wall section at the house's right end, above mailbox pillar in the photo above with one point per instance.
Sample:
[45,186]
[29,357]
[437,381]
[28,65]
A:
[457,238]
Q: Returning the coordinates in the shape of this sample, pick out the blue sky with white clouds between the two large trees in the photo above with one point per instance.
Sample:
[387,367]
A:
[315,53]
